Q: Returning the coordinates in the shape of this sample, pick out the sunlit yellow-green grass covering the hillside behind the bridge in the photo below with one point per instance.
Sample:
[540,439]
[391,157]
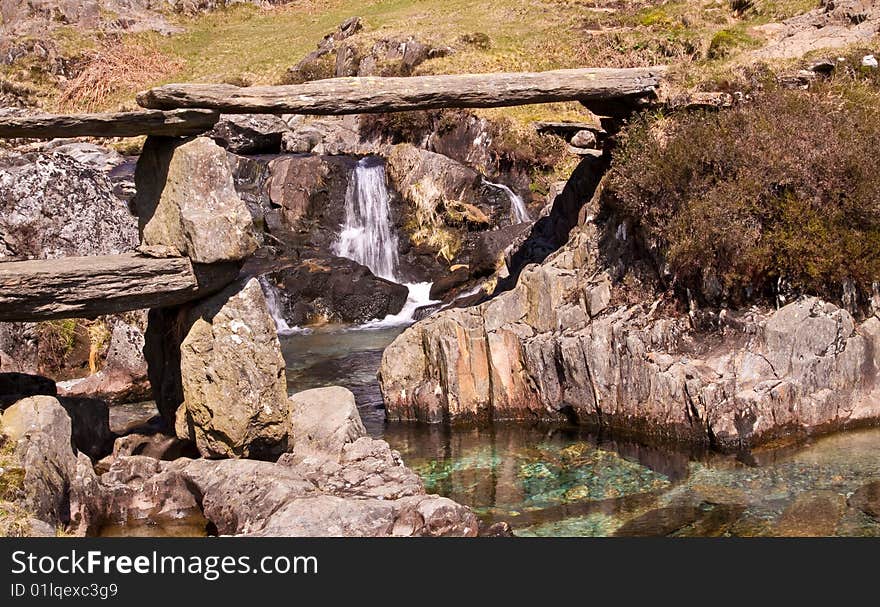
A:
[248,44]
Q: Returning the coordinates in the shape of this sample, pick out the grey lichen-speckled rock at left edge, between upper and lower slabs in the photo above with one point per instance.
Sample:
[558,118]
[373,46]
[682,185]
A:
[53,206]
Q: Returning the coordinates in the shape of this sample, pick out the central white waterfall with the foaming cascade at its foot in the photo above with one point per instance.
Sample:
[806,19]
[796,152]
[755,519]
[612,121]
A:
[368,237]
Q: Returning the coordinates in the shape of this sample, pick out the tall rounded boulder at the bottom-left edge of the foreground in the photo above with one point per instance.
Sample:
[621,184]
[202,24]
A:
[40,431]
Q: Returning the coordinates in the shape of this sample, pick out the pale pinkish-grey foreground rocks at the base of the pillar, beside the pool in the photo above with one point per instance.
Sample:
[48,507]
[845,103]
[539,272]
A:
[336,482]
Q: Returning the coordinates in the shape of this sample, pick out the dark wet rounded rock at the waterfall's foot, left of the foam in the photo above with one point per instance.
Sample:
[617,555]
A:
[336,289]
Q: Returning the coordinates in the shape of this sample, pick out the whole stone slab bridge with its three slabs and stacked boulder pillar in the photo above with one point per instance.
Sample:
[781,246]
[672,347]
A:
[196,233]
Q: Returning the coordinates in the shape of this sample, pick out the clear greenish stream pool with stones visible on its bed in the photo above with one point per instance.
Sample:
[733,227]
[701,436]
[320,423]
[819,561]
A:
[564,481]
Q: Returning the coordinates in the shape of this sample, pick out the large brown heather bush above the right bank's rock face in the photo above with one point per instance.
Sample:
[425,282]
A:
[784,189]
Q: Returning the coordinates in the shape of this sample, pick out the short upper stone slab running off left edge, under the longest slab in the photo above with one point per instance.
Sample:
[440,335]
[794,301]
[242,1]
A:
[120,124]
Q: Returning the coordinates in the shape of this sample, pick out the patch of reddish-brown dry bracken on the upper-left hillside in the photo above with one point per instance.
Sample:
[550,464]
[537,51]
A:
[115,69]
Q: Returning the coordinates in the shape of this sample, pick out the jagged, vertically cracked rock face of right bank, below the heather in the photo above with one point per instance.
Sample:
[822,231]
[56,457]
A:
[556,347]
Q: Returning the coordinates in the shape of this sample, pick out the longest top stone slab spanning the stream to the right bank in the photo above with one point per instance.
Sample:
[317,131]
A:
[378,94]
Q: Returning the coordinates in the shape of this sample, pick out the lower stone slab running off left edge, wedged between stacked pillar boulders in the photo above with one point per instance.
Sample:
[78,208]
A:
[73,287]
